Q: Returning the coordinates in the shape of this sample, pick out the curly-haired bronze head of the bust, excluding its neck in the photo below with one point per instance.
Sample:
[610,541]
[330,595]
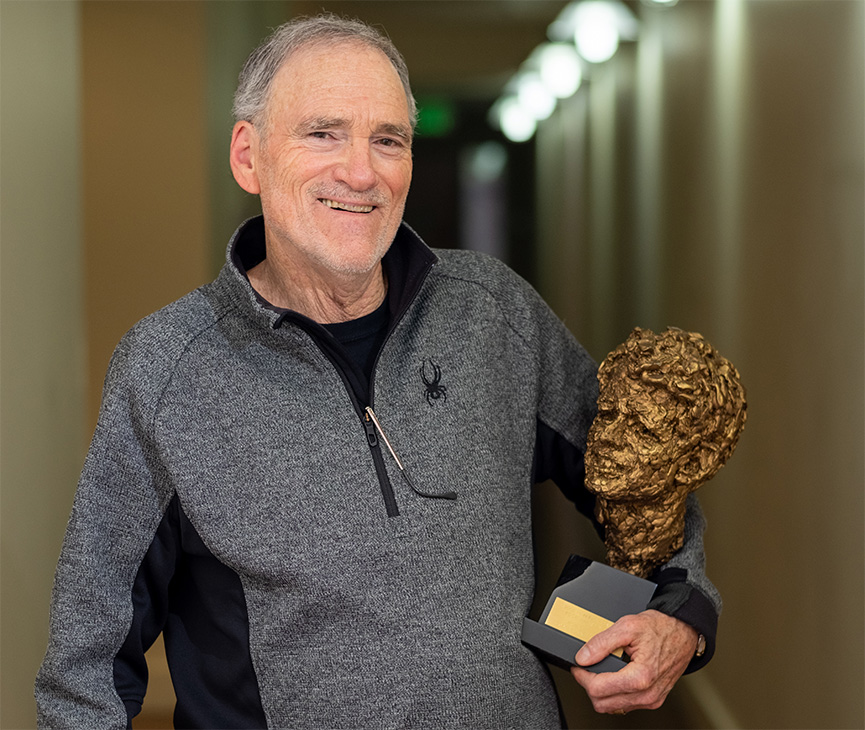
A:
[670,412]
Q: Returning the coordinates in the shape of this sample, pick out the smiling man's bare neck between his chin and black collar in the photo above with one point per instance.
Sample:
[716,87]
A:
[325,297]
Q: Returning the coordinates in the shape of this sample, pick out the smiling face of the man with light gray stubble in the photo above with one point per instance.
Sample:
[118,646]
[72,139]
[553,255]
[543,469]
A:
[334,162]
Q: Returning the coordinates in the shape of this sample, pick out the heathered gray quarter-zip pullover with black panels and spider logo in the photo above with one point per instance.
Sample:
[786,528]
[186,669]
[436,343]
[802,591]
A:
[361,602]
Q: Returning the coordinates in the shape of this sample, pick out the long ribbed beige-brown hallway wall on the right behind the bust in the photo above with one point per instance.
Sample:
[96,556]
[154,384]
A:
[712,179]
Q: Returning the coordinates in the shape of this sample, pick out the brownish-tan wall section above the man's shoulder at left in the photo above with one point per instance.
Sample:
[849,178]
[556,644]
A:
[145,178]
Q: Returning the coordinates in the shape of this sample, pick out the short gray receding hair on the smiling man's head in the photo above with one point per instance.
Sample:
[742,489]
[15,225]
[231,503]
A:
[257,74]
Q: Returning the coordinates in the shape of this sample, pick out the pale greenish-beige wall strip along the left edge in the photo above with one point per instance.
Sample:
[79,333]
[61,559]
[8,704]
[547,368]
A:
[42,353]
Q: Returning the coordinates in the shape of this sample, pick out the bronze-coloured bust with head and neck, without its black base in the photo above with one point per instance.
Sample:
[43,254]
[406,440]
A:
[670,412]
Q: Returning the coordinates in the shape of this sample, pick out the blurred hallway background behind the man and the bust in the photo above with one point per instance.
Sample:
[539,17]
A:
[707,175]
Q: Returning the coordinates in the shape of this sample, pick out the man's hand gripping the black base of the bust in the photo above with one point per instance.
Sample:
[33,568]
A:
[660,648]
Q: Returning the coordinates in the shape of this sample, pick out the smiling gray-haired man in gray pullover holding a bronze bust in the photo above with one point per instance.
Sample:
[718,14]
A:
[313,475]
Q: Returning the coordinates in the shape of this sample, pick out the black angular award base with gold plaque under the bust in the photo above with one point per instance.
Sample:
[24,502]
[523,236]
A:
[588,598]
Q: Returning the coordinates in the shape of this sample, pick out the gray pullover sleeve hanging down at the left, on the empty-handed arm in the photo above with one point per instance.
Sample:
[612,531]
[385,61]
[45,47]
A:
[121,498]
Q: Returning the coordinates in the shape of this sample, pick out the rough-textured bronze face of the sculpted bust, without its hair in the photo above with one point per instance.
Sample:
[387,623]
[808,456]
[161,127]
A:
[633,450]
